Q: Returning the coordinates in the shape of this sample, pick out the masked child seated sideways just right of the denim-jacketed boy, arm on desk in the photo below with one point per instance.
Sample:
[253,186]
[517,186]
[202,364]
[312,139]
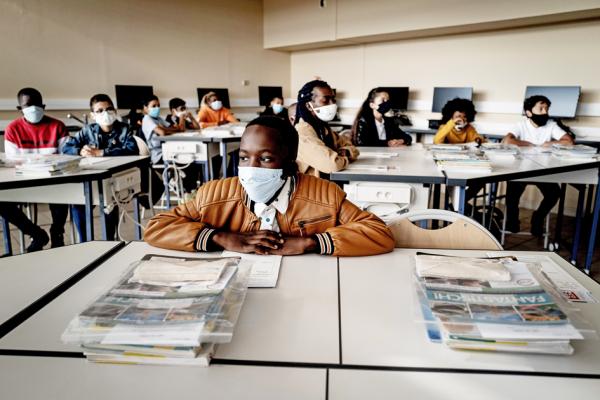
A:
[152,126]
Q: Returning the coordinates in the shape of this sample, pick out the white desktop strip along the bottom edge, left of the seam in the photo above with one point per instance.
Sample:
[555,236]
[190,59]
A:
[32,378]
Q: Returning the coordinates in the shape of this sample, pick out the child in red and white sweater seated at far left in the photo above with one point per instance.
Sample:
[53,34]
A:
[35,133]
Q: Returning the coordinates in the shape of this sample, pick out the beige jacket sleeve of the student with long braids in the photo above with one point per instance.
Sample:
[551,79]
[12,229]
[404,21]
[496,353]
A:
[312,151]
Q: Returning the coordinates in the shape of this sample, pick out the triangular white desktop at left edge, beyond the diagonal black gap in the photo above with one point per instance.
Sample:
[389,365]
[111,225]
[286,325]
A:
[25,279]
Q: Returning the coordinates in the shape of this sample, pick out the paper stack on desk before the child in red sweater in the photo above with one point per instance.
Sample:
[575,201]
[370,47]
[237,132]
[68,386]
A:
[47,165]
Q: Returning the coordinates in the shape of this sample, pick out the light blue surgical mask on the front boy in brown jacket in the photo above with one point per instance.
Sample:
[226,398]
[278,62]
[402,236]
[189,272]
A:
[261,184]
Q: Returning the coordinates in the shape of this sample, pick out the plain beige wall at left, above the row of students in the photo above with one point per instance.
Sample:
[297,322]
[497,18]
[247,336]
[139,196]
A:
[72,49]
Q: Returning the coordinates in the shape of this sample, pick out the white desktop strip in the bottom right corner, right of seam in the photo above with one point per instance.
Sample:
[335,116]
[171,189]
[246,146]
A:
[384,385]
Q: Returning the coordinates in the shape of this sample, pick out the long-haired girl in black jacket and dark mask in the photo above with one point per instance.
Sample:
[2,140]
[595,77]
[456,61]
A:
[372,126]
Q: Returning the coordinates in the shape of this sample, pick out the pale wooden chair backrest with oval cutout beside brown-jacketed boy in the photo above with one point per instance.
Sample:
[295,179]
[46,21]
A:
[462,233]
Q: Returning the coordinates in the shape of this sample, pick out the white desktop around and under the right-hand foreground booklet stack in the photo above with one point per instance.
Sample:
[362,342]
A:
[379,328]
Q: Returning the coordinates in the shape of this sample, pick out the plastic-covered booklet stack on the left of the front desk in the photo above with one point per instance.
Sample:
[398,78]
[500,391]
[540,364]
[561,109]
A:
[164,310]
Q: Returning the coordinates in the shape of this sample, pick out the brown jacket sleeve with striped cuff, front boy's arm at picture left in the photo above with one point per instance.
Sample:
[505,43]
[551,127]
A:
[181,228]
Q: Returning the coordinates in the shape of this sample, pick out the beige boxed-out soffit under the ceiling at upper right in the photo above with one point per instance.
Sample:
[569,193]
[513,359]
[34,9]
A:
[297,24]
